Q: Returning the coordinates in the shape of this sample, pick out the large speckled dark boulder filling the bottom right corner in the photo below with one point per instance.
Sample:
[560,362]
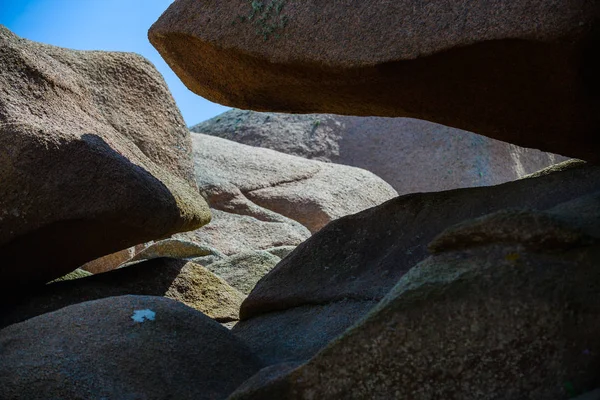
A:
[494,320]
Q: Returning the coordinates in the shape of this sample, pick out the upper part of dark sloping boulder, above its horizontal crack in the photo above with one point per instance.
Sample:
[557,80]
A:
[363,255]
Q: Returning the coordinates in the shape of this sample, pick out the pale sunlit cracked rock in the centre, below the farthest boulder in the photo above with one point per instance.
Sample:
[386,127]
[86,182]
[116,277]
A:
[241,179]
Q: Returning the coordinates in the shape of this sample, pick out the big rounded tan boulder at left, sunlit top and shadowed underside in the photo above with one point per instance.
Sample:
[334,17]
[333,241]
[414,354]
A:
[93,159]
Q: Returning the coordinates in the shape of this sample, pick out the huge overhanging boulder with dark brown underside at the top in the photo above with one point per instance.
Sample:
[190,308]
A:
[522,72]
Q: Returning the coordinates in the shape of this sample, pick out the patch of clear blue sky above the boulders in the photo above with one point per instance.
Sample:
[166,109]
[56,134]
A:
[118,25]
